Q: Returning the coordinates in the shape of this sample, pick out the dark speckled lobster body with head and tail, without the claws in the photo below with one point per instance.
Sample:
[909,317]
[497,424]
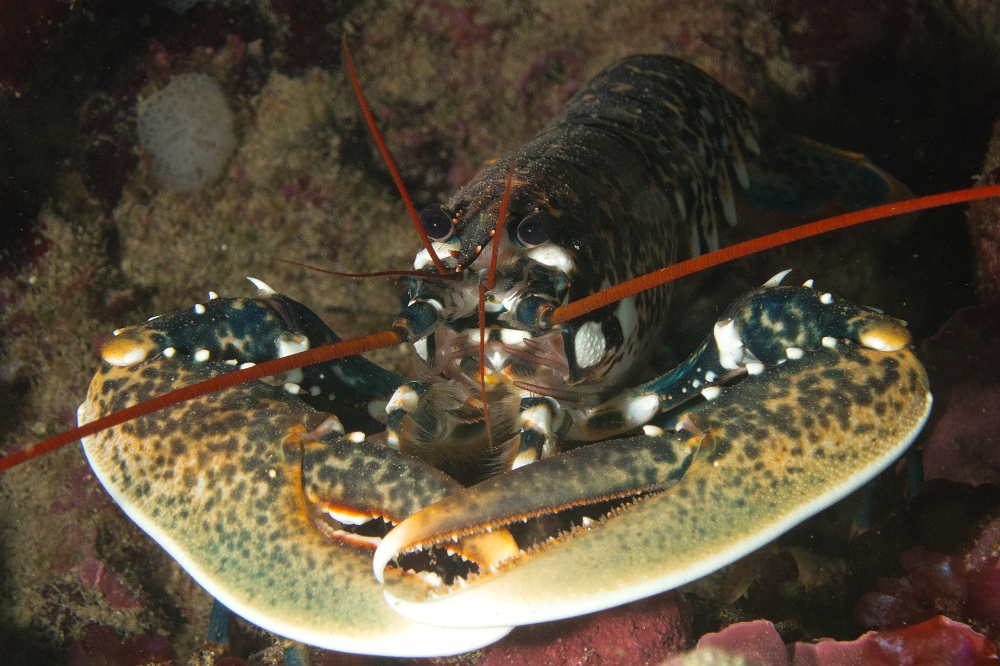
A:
[648,164]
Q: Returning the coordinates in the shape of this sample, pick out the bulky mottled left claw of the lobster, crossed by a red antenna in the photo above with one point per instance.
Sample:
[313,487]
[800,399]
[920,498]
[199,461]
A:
[218,483]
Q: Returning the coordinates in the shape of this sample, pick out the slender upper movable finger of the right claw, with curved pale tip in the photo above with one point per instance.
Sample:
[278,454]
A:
[594,483]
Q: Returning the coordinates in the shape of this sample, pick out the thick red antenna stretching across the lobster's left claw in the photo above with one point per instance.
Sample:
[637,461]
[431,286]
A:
[266,369]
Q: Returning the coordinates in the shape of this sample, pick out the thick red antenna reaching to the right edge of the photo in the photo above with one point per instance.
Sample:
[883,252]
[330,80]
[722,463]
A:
[664,275]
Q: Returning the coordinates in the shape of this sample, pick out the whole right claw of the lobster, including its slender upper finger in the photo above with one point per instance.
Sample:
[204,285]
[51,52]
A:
[771,451]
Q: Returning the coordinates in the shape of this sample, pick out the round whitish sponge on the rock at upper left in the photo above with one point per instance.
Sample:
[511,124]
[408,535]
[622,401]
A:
[187,129]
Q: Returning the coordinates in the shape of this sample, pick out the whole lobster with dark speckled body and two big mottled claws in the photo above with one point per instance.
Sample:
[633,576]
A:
[477,494]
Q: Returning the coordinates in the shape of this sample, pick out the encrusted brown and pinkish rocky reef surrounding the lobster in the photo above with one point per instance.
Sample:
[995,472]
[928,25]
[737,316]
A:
[92,242]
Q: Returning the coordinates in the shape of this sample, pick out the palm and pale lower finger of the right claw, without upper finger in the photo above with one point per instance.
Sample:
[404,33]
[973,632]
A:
[782,447]
